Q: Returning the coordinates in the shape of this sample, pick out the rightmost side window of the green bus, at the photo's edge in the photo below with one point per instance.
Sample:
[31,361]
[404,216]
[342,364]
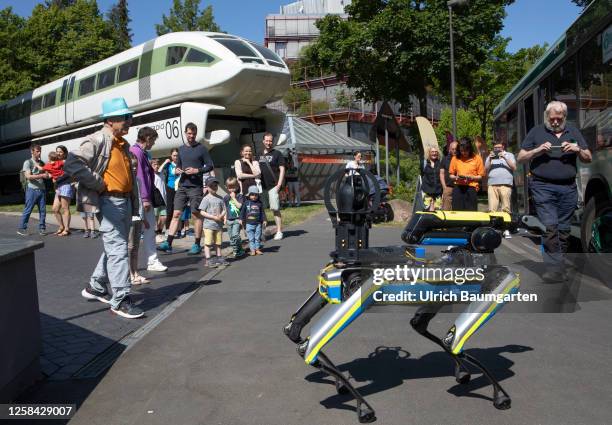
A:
[595,87]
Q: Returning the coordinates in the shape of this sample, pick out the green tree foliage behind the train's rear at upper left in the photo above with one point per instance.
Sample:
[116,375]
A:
[60,37]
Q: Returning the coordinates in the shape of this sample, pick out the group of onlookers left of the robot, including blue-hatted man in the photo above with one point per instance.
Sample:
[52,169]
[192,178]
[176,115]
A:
[140,200]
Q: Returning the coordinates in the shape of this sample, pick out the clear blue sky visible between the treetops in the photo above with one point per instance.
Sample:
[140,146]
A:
[528,22]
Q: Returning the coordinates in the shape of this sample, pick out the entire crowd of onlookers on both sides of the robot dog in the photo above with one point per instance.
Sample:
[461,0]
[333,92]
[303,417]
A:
[135,197]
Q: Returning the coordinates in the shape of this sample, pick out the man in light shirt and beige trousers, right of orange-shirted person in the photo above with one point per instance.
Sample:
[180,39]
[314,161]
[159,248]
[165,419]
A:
[499,166]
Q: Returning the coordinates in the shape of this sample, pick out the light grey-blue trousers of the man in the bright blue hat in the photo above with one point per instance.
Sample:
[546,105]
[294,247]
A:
[115,218]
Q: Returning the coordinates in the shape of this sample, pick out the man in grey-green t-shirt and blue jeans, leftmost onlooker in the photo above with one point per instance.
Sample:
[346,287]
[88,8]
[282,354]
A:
[35,191]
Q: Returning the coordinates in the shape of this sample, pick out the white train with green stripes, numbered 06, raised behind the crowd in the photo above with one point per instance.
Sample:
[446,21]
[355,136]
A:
[218,81]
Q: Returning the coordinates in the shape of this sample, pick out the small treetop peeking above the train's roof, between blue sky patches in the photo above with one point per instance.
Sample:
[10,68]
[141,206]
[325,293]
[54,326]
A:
[186,16]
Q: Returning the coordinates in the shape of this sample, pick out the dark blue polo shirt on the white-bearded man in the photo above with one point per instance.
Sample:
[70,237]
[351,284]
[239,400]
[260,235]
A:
[554,166]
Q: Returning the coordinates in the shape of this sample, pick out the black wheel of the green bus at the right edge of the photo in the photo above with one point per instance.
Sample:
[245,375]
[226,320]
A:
[596,219]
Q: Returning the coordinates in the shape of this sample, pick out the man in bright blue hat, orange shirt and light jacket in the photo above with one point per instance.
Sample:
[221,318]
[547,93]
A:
[103,168]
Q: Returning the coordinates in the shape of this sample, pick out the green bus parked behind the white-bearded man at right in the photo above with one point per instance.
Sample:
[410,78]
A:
[577,70]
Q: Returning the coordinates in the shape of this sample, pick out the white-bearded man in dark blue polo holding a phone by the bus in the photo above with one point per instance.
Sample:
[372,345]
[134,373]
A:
[552,149]
